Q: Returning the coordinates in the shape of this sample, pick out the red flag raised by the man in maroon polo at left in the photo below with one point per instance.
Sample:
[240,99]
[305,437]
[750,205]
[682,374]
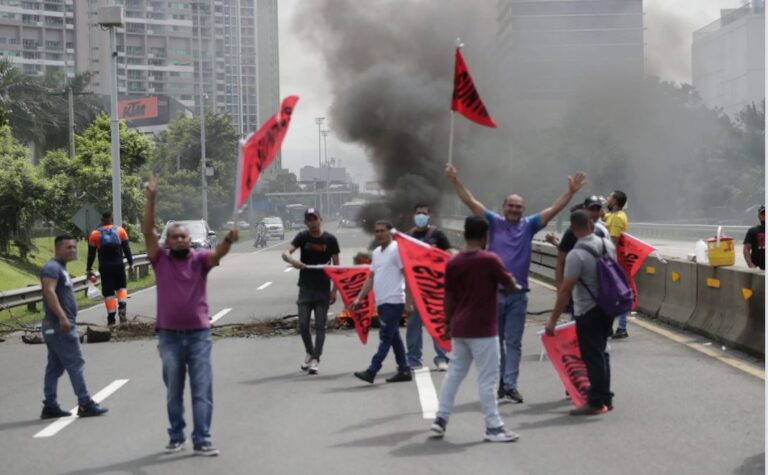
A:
[261,147]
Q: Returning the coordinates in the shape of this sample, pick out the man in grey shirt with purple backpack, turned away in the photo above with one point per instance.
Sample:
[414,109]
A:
[600,291]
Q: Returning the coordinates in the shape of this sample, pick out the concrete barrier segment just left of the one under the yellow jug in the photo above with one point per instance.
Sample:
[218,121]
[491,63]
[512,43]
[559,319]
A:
[680,293]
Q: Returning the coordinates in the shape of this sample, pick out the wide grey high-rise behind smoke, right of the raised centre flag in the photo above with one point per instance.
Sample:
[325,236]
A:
[551,51]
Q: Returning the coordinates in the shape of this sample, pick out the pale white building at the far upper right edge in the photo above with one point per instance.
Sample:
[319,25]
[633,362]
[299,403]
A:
[728,59]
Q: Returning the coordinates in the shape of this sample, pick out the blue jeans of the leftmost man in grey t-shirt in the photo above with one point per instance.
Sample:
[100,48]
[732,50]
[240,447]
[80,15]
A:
[63,355]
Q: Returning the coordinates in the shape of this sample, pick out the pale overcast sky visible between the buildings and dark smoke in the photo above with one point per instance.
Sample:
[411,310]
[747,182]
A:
[669,26]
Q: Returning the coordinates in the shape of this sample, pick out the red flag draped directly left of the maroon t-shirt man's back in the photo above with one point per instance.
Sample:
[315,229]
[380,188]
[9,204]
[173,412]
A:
[424,269]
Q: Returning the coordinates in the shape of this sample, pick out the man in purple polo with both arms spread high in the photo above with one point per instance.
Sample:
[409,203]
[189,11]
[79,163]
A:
[510,239]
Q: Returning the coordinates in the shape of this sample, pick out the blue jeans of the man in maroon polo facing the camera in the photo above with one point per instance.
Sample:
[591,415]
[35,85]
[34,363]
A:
[181,352]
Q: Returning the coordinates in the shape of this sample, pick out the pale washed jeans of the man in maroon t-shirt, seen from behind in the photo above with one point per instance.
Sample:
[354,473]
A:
[485,352]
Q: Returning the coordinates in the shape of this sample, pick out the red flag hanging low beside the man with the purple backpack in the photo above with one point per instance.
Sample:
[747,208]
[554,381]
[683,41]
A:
[563,351]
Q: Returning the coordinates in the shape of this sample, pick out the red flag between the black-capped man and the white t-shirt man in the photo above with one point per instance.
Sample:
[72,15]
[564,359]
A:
[349,281]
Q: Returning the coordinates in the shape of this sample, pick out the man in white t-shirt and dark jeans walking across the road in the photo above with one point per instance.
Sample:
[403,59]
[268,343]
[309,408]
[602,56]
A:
[388,284]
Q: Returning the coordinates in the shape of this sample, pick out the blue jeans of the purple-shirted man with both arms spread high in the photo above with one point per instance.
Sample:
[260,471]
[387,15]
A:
[512,311]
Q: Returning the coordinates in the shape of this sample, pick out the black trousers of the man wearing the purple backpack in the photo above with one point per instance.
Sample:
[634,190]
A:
[592,330]
